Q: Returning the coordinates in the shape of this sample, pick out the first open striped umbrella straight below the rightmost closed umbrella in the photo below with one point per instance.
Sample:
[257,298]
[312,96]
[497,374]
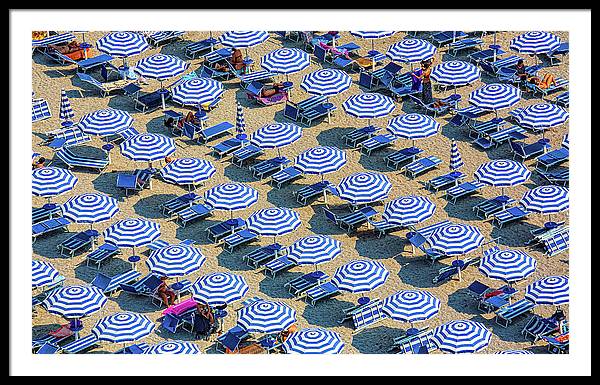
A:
[456,239]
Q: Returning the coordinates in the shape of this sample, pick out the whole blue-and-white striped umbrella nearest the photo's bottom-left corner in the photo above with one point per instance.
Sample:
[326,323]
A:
[75,301]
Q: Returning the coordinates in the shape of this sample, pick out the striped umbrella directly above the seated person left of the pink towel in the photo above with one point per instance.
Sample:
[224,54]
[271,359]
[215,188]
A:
[175,260]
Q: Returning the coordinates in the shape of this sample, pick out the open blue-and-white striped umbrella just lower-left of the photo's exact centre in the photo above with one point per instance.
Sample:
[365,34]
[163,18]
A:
[273,221]
